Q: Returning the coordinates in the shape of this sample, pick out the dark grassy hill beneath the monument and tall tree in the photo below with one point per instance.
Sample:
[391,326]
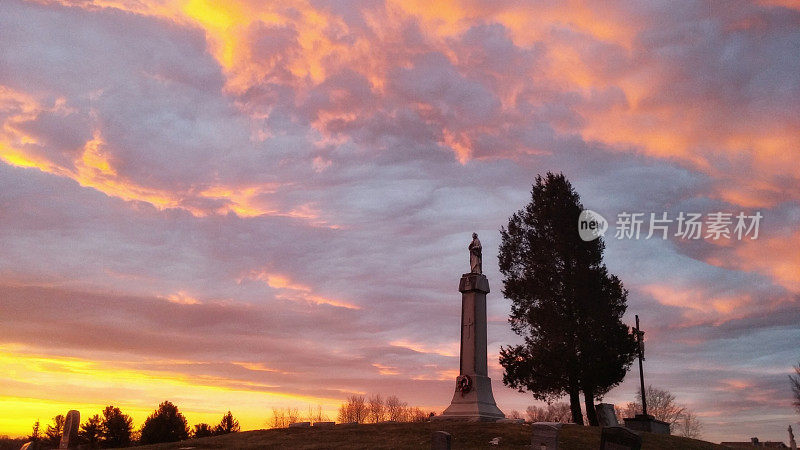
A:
[417,435]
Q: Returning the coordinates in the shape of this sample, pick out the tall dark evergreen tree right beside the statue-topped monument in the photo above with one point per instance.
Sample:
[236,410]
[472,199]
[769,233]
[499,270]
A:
[565,304]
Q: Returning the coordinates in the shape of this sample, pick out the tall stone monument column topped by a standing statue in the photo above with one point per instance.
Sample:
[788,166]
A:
[473,398]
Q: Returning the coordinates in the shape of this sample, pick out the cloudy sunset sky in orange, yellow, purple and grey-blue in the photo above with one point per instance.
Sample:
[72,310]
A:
[240,205]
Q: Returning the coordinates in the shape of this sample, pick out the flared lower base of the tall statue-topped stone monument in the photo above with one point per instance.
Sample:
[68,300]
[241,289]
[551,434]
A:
[475,405]
